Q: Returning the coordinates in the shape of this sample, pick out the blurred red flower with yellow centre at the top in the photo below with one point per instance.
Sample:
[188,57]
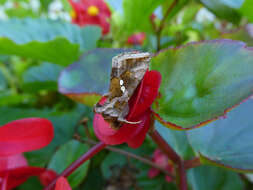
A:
[91,12]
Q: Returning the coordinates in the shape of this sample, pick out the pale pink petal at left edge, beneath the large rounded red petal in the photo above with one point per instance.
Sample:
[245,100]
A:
[13,161]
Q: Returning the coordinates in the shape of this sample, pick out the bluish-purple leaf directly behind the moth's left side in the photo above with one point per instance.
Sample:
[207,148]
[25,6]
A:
[86,80]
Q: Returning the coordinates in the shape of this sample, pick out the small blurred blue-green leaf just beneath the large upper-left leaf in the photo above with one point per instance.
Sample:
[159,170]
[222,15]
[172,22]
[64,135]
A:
[42,77]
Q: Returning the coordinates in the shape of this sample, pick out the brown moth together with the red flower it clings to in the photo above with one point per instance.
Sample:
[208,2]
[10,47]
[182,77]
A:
[124,114]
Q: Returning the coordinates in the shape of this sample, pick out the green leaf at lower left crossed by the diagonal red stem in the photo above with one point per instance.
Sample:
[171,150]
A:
[67,154]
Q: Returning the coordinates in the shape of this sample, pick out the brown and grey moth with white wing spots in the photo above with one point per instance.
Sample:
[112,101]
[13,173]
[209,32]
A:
[127,72]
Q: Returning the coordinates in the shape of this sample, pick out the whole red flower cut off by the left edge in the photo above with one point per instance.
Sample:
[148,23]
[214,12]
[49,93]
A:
[17,137]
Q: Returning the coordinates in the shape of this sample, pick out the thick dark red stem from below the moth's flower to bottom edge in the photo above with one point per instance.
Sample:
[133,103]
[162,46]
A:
[173,156]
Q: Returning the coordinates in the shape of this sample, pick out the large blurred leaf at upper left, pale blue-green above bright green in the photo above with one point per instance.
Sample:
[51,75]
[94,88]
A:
[47,40]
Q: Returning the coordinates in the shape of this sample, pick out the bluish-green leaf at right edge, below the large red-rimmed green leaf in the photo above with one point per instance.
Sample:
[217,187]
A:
[227,142]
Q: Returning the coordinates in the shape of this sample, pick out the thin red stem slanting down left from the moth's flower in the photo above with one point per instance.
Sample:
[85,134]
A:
[94,150]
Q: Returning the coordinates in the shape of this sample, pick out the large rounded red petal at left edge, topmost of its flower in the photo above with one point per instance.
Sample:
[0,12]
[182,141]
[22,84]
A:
[25,135]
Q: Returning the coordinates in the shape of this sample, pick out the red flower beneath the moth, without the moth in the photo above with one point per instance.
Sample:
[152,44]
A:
[139,104]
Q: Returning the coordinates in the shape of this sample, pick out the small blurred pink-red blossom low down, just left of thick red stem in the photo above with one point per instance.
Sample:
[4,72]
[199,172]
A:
[162,160]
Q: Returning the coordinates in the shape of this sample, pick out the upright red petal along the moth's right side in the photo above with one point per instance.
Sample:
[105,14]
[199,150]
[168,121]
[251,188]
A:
[146,94]
